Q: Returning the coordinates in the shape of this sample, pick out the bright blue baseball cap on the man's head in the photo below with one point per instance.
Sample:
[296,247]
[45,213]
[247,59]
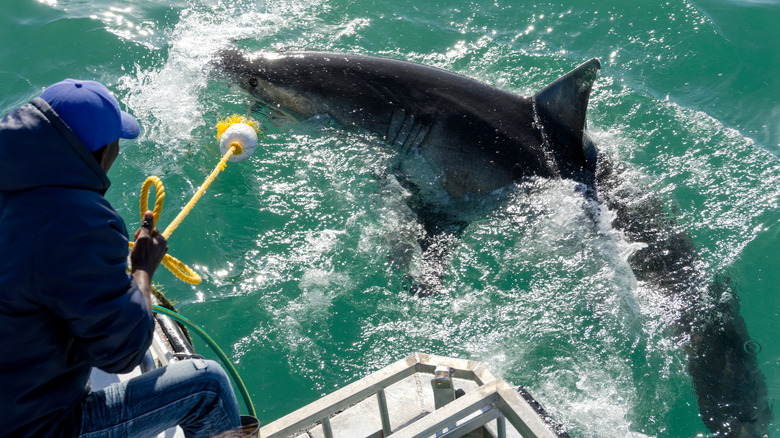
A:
[91,111]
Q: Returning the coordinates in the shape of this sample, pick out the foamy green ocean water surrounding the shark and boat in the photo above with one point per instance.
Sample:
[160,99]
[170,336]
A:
[296,244]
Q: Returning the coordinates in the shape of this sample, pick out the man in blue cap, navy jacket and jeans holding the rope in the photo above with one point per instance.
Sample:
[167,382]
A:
[67,302]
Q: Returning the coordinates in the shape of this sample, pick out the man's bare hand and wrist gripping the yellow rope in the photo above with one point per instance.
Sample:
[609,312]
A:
[148,251]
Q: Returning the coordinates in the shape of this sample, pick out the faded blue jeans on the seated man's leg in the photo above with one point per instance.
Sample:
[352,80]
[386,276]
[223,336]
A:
[194,394]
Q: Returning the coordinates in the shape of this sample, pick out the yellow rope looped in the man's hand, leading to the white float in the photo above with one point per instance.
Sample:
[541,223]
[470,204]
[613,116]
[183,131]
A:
[177,268]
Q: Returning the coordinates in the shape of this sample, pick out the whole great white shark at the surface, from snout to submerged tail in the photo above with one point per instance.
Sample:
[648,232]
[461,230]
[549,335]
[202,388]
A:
[483,138]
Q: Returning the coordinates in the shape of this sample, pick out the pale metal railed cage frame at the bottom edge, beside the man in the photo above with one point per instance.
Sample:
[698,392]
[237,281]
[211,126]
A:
[421,395]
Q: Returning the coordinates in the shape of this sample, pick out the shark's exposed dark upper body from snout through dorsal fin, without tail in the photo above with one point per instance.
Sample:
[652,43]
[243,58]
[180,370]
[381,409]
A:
[481,136]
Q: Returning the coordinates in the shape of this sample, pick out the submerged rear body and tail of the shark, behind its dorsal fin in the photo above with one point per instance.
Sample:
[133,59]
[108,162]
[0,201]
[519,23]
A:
[729,387]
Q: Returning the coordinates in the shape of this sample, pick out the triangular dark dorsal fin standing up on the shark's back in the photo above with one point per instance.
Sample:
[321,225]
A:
[566,99]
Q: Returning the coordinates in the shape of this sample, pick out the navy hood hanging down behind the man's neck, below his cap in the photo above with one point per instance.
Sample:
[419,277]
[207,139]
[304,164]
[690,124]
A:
[38,149]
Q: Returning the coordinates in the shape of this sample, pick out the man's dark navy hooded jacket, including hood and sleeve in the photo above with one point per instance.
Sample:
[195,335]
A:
[67,302]
